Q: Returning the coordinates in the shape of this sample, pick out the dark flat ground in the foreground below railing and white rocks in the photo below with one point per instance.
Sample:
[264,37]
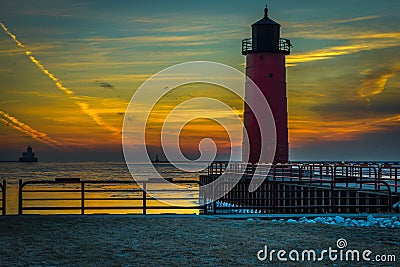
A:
[125,240]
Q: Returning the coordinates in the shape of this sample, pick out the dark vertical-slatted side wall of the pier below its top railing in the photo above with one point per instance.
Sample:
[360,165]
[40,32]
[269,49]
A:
[302,196]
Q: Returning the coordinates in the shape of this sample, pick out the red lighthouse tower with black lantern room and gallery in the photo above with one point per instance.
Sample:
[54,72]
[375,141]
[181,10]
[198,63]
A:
[265,65]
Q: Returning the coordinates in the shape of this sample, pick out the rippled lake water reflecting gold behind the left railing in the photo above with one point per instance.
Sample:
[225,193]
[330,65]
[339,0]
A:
[91,171]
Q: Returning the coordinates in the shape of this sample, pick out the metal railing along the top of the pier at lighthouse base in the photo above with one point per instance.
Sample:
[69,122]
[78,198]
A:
[341,174]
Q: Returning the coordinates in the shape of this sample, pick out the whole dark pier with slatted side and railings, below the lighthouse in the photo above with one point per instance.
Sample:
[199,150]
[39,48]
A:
[308,187]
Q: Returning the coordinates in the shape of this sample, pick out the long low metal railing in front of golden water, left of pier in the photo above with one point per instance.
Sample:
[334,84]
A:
[75,196]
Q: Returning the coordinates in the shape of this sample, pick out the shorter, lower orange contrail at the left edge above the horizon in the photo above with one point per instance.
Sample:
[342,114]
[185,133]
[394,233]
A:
[9,120]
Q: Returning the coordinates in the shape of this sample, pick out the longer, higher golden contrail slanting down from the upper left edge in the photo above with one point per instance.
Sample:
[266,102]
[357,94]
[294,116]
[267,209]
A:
[83,106]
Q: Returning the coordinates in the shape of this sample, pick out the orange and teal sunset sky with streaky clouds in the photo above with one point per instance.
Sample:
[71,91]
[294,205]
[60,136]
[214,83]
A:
[68,70]
